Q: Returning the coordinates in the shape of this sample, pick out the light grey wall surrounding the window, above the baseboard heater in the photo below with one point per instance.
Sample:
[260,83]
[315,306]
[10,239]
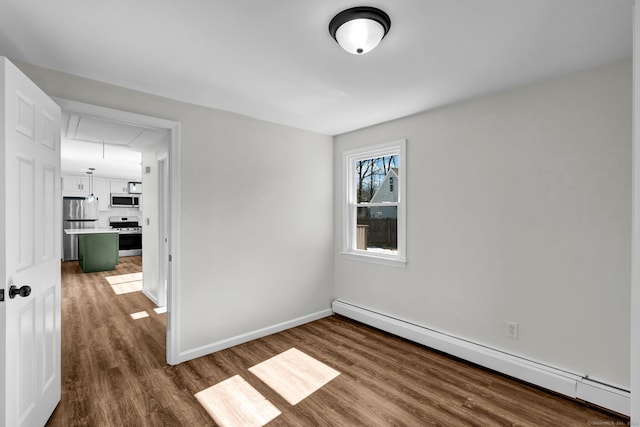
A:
[518,208]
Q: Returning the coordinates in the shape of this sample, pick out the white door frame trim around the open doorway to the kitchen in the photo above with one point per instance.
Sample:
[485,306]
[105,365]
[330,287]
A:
[173,279]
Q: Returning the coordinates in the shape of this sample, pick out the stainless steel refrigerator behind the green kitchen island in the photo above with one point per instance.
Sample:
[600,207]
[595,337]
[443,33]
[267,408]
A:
[77,213]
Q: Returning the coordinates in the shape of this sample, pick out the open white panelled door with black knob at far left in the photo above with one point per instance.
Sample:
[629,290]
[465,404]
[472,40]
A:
[30,228]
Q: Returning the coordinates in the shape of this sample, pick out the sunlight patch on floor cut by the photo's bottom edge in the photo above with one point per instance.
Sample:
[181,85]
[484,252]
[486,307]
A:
[234,402]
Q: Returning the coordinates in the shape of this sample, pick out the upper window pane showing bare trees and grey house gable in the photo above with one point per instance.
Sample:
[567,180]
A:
[377,179]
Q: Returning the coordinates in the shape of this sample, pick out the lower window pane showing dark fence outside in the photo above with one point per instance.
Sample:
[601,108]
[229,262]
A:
[377,229]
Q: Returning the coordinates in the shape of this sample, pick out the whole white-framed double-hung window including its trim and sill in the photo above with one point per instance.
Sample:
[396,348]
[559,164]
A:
[374,227]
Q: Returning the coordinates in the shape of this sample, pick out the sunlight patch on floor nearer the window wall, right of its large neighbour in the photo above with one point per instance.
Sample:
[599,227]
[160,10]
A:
[294,375]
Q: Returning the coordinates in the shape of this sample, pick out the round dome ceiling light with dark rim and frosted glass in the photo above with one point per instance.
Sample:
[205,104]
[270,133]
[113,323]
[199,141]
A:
[359,30]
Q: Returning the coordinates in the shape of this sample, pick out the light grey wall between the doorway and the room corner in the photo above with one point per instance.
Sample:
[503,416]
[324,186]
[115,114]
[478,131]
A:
[256,208]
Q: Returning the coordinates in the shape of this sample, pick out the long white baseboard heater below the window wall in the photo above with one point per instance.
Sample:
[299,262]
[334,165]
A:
[559,381]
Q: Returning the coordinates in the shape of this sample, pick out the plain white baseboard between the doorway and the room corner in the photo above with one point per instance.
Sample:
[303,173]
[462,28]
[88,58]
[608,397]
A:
[240,339]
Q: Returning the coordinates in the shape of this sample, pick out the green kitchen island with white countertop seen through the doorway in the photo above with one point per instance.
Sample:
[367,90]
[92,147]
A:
[97,249]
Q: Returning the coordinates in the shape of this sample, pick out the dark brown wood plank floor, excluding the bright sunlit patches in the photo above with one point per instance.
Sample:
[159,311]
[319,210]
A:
[114,373]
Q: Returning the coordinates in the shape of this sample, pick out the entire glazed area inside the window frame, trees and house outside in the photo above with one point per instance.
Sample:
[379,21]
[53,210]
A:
[377,204]
